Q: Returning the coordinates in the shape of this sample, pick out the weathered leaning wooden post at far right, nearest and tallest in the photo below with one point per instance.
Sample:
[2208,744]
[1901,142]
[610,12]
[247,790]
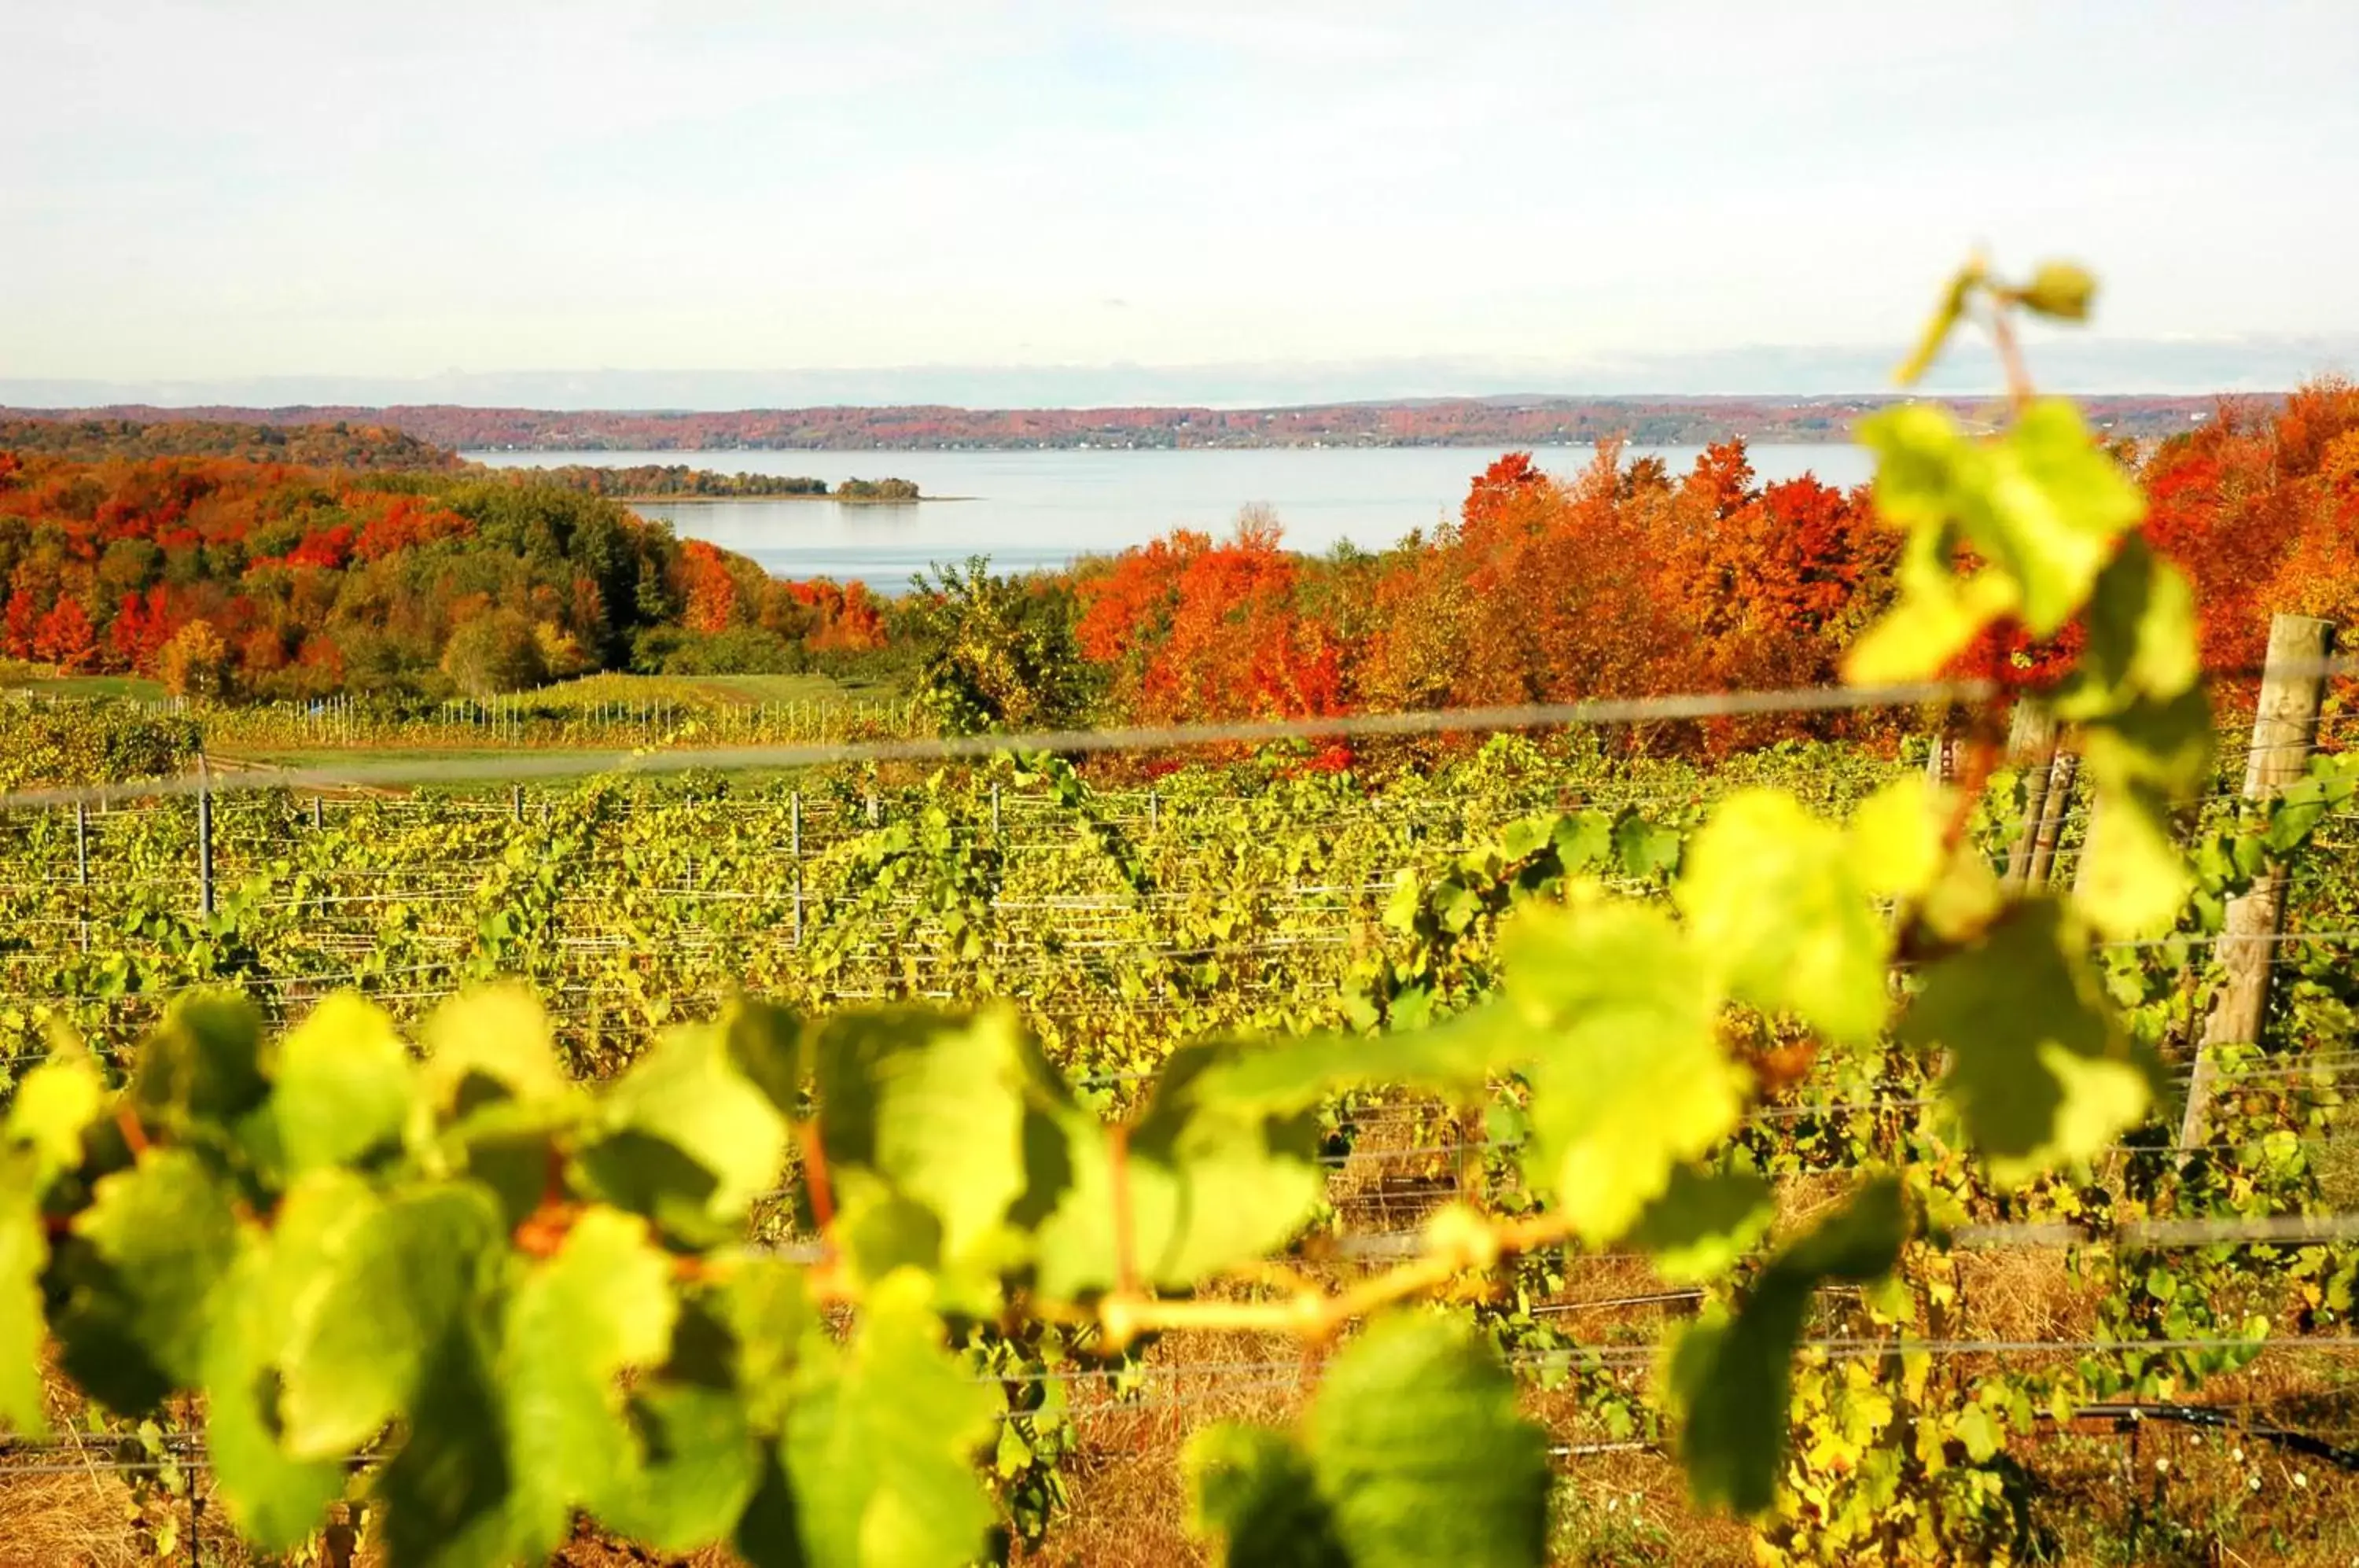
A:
[2285,732]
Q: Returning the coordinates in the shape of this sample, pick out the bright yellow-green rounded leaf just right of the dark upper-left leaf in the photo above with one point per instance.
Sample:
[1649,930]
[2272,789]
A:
[346,1086]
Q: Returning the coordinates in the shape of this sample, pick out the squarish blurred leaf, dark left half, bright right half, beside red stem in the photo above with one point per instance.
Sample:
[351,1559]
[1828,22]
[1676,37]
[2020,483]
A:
[926,1124]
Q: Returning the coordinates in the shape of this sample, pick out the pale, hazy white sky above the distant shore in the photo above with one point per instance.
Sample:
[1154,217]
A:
[688,204]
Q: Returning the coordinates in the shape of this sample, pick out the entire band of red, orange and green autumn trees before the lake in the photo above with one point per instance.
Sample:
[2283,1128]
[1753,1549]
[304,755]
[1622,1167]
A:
[331,560]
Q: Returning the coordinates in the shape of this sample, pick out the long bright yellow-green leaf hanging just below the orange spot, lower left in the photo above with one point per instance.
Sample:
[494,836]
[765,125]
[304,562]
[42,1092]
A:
[596,1310]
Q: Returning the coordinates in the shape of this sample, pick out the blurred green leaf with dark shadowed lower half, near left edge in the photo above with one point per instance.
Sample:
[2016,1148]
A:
[140,1272]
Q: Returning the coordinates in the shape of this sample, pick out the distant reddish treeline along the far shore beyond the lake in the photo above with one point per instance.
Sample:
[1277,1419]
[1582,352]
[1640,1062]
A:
[1502,423]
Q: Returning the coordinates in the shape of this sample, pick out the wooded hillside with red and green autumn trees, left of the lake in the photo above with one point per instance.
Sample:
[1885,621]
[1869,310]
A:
[282,581]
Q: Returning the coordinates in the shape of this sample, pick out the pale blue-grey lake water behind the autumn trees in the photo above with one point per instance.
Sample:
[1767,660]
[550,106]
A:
[1046,508]
